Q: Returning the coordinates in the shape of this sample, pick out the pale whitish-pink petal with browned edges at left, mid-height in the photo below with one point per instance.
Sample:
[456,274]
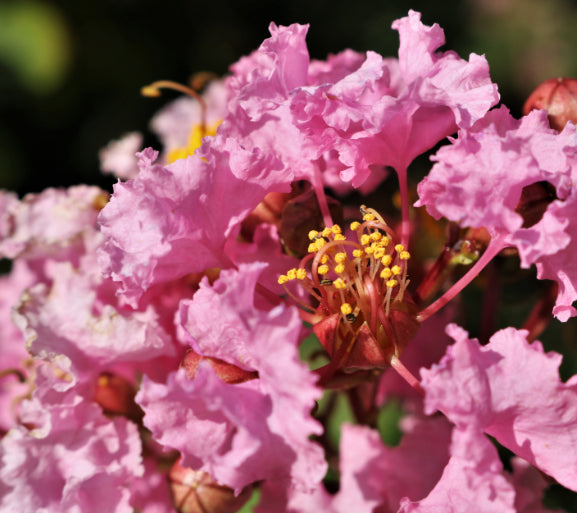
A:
[69,318]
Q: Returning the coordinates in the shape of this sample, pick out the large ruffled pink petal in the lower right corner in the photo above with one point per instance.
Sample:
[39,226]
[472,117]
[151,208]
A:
[511,389]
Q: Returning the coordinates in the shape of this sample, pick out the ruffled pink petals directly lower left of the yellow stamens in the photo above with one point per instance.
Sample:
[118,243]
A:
[239,432]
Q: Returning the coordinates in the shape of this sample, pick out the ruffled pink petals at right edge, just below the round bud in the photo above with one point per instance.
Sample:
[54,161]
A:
[478,181]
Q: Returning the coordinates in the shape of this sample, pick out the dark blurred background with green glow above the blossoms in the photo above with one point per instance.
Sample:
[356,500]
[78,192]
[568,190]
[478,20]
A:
[70,72]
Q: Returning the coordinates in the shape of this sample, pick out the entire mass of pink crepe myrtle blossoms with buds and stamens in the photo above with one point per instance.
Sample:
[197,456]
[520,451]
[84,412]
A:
[195,338]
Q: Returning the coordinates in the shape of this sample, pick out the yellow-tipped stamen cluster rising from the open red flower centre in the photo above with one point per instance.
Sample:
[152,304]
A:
[360,280]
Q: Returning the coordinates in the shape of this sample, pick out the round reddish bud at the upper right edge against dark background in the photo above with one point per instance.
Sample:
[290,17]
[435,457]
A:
[558,96]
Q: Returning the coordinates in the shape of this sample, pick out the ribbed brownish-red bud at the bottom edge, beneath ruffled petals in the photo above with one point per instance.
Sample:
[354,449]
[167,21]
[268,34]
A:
[196,492]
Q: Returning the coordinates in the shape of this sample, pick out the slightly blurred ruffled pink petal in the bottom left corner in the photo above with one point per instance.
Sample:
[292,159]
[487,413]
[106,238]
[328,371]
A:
[66,469]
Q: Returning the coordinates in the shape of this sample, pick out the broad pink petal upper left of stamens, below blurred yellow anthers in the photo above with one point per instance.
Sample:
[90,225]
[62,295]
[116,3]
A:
[172,221]
